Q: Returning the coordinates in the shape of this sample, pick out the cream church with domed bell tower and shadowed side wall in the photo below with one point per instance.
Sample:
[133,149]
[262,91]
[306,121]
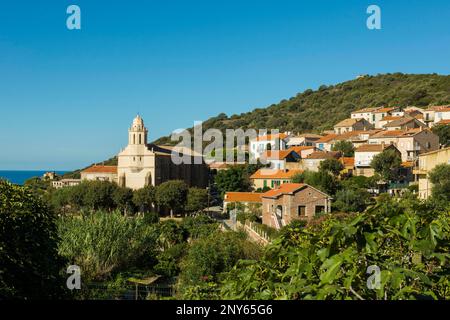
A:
[141,164]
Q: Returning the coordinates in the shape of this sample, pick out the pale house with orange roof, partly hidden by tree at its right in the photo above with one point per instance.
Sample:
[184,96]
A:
[364,156]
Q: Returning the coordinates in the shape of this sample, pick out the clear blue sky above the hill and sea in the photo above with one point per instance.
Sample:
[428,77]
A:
[68,97]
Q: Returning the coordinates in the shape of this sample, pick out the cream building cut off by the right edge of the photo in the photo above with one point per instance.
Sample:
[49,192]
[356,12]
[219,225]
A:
[427,162]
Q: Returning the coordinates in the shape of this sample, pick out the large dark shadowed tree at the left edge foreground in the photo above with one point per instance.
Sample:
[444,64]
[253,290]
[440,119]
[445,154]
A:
[30,267]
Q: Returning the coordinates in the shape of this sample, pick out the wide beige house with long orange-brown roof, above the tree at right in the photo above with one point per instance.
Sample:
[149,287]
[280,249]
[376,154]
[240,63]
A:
[410,143]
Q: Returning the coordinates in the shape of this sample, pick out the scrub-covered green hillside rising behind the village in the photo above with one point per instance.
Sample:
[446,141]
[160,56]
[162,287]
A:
[314,111]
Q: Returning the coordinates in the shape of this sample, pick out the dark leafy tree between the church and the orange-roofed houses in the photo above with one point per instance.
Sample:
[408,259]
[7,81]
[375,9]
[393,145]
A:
[233,179]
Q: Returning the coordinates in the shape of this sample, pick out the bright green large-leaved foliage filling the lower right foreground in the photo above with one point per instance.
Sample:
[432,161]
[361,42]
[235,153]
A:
[408,240]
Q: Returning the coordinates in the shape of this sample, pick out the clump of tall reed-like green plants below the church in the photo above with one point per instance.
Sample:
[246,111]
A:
[105,242]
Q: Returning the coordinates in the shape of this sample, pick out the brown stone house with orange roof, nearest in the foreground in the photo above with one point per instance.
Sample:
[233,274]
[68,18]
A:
[293,201]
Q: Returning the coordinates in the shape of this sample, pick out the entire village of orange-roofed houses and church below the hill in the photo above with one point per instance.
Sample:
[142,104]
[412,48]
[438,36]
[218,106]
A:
[277,193]
